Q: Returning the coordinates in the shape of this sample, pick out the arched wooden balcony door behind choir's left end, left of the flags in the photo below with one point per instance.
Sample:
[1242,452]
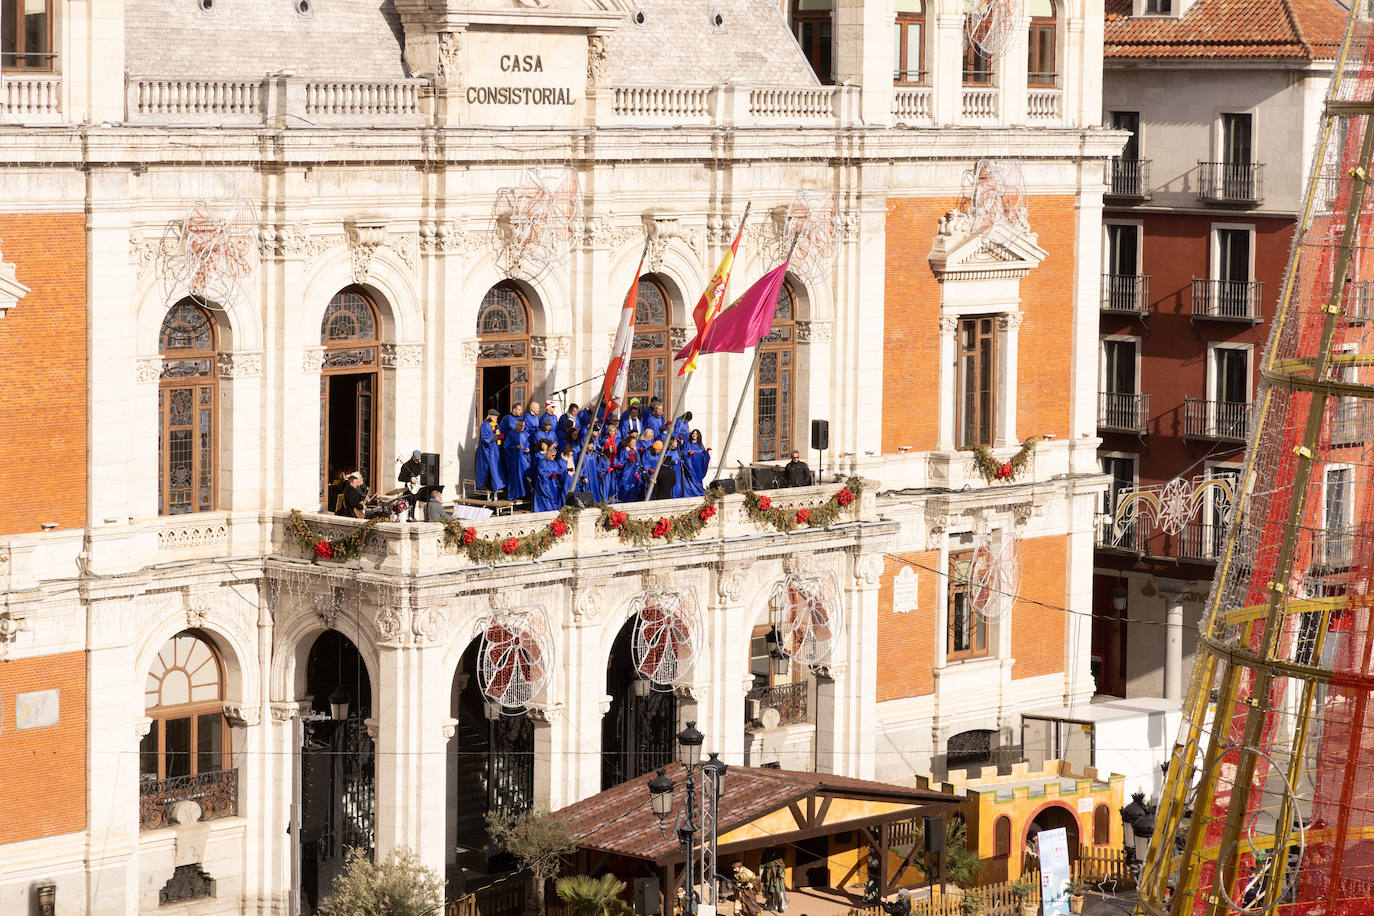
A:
[504,355]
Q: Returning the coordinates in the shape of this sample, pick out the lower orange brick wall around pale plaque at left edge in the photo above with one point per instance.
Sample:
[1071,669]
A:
[43,772]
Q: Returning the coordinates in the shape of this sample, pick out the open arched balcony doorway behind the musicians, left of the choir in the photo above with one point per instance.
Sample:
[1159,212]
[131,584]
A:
[350,388]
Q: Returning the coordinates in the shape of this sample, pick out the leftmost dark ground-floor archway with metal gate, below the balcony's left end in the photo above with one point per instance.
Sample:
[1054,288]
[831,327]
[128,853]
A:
[337,808]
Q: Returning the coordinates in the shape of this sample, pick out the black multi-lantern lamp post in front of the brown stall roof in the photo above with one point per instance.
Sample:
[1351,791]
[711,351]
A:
[699,815]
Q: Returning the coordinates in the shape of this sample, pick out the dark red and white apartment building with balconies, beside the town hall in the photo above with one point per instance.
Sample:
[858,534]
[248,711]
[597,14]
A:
[1222,101]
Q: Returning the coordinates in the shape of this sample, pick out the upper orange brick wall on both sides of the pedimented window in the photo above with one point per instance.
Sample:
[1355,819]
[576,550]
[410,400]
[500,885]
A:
[912,312]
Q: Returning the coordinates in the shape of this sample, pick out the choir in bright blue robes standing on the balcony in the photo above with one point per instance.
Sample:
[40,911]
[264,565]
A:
[537,455]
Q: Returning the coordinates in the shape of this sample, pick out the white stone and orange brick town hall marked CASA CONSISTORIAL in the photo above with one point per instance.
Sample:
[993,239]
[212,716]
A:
[199,709]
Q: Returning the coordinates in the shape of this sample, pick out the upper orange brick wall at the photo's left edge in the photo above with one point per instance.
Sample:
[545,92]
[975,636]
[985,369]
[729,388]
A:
[43,358]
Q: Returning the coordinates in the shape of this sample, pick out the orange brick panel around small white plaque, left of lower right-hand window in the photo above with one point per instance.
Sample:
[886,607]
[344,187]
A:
[906,642]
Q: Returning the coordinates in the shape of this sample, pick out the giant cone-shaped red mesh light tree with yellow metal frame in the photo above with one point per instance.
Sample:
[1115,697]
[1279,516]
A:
[1269,801]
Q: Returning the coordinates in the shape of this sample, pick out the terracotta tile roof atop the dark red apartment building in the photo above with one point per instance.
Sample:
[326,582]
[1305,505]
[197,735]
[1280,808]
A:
[1233,30]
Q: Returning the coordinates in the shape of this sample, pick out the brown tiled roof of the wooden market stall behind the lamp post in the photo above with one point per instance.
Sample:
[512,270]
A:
[620,821]
